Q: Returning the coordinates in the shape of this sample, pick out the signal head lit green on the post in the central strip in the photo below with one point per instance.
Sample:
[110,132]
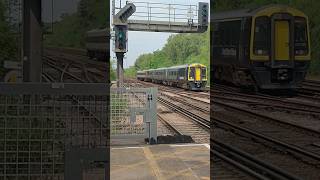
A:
[121,32]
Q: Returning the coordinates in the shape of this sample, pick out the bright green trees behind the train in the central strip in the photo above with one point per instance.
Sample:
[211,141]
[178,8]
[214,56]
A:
[179,49]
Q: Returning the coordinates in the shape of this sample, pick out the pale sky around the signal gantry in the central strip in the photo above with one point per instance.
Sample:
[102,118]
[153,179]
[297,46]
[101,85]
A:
[147,42]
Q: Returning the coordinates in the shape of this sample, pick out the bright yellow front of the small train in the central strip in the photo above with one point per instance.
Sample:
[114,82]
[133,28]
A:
[197,76]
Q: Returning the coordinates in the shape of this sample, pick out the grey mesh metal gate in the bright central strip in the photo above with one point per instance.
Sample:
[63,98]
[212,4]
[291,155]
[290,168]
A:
[133,113]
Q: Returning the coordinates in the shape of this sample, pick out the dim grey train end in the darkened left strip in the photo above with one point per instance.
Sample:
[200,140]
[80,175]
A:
[97,44]
